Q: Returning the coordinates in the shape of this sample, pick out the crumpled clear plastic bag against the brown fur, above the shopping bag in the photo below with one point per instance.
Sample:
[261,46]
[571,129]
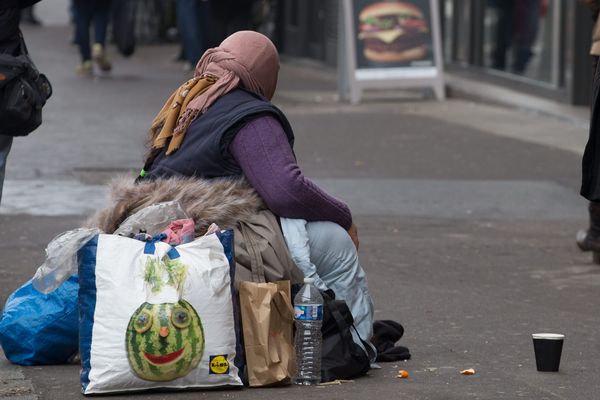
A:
[152,219]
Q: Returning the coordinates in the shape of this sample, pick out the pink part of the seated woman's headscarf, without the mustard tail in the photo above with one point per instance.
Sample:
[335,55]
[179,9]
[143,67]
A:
[246,58]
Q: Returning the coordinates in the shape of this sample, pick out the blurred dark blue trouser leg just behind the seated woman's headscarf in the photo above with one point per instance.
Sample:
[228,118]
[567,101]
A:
[193,22]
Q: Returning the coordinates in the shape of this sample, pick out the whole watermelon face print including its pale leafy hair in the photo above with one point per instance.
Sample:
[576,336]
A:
[165,338]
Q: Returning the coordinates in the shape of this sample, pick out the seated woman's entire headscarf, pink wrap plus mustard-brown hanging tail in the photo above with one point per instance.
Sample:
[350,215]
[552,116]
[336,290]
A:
[246,58]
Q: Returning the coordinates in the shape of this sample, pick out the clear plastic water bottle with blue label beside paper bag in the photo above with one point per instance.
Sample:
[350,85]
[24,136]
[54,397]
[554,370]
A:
[308,313]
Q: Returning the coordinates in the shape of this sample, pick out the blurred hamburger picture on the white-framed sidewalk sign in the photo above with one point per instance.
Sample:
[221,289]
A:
[393,32]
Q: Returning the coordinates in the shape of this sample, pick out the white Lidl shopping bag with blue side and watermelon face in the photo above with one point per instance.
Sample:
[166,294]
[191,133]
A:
[155,316]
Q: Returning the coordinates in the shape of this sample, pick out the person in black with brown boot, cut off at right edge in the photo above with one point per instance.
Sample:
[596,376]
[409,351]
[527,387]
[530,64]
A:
[589,240]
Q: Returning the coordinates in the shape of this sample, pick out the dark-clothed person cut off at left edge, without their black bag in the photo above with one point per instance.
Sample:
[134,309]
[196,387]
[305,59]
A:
[10,11]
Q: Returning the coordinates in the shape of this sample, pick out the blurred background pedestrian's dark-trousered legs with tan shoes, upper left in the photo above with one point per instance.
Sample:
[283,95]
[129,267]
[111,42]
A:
[86,12]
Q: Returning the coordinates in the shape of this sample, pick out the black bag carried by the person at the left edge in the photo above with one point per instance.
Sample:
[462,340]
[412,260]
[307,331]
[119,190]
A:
[23,93]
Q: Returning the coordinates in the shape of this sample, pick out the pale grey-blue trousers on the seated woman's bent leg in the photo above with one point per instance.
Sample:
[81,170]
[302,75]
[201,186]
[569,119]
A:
[324,251]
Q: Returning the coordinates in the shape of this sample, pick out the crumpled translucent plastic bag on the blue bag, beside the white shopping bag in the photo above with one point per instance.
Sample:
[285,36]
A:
[61,259]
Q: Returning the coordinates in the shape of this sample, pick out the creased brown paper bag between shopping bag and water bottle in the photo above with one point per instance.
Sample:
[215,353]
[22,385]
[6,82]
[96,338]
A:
[267,323]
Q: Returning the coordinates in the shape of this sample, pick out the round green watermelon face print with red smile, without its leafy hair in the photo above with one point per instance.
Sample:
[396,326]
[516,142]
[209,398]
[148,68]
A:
[164,341]
